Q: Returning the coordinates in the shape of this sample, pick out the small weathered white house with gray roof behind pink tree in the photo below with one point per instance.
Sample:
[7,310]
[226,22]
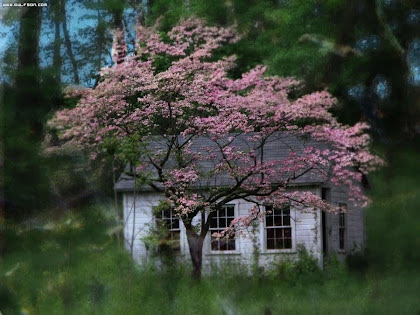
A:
[277,235]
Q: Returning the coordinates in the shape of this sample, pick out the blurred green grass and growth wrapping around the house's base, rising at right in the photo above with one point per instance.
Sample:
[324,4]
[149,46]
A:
[71,265]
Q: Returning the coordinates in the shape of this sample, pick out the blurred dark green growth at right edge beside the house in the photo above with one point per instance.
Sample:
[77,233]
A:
[392,219]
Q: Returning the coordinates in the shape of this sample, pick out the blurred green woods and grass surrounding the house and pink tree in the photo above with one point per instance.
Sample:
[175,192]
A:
[58,247]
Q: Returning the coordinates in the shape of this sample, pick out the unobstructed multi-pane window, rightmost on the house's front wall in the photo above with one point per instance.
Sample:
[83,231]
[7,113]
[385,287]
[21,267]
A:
[278,228]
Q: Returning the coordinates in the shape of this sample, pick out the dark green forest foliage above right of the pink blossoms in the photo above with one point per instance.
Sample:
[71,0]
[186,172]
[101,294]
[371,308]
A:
[336,44]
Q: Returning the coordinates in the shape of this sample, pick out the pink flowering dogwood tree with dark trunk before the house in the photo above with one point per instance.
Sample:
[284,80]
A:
[172,96]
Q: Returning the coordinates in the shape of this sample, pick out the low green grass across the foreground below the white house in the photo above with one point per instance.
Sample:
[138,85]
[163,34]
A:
[72,266]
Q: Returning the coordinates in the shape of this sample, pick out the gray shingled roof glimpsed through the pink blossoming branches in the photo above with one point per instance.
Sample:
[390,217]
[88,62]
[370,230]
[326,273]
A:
[277,148]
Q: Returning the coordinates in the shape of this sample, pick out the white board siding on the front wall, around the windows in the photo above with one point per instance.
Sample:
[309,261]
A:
[306,232]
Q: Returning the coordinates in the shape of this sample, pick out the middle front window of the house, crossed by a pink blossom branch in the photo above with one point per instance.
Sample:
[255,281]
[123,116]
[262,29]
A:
[221,220]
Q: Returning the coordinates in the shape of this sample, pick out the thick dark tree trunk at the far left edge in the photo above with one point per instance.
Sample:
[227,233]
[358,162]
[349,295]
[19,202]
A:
[23,108]
